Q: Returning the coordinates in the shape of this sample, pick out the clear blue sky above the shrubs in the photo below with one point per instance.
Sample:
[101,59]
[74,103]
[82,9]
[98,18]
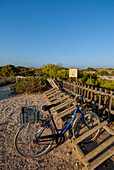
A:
[74,33]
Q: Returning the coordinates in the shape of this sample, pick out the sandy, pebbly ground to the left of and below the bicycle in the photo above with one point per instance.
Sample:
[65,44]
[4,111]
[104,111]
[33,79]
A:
[63,157]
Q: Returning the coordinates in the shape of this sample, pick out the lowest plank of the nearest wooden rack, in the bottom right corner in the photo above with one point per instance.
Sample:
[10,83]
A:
[101,159]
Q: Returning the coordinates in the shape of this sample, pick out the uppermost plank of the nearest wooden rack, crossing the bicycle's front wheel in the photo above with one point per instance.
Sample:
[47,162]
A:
[85,135]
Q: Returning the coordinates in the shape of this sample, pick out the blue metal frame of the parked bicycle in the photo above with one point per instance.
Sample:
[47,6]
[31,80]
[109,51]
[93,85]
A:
[62,131]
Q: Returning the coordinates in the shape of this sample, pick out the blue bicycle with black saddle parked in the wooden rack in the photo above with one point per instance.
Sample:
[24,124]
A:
[35,139]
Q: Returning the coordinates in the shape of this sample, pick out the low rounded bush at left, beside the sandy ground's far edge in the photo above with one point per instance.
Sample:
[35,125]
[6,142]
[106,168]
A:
[30,85]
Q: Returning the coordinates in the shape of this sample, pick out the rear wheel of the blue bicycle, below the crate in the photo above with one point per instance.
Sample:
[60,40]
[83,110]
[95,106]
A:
[24,140]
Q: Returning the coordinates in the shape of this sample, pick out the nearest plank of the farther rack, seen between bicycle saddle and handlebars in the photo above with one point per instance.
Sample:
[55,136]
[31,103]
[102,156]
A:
[66,111]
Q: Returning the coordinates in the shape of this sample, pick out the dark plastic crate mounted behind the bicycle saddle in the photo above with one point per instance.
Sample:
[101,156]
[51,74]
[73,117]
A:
[29,114]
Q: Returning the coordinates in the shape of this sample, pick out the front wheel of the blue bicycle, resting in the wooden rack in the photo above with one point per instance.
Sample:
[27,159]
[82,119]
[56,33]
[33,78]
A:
[79,128]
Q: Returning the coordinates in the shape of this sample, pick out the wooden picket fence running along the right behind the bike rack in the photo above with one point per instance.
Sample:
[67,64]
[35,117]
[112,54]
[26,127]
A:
[102,99]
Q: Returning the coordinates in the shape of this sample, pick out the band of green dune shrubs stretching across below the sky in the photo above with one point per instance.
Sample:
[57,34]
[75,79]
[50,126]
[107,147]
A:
[36,78]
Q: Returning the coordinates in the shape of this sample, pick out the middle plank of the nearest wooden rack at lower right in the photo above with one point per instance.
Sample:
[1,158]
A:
[97,150]
